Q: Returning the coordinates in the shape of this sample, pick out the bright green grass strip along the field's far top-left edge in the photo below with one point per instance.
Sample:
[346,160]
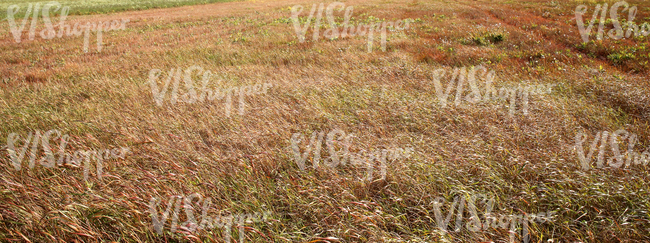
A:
[85,7]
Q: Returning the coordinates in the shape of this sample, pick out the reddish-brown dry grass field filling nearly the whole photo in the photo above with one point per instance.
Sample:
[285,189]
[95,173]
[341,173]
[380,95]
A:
[244,163]
